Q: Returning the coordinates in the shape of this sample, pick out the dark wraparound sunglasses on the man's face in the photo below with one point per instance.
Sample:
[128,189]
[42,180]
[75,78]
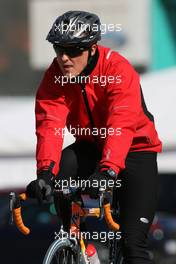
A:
[70,51]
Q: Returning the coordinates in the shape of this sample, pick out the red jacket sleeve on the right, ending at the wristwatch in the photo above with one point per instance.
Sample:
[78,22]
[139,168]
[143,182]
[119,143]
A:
[123,107]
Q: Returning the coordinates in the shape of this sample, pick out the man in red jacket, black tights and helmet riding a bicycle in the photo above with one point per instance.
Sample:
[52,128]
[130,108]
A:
[72,94]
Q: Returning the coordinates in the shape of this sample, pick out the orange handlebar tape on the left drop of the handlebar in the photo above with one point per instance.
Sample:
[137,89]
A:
[18,217]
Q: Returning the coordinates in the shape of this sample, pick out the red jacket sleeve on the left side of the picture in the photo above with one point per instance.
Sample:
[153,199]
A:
[51,114]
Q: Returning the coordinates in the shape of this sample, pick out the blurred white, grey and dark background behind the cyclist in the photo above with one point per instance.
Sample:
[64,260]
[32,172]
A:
[147,38]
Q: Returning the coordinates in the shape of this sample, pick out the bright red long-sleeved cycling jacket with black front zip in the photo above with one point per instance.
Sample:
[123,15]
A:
[115,105]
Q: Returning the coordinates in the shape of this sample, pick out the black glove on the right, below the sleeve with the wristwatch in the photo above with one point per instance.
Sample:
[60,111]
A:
[101,181]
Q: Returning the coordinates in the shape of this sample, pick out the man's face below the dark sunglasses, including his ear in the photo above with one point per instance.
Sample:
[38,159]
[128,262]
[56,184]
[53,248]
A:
[72,66]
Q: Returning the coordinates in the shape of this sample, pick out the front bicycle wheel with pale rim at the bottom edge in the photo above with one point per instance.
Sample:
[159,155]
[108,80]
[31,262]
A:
[56,248]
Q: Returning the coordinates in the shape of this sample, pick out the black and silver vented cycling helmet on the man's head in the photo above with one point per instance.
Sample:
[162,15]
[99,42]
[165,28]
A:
[75,28]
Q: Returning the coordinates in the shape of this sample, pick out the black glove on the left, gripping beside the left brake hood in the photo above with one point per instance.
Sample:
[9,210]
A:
[42,188]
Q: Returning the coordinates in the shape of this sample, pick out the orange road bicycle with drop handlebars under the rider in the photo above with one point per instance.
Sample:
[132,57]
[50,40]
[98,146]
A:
[70,247]
